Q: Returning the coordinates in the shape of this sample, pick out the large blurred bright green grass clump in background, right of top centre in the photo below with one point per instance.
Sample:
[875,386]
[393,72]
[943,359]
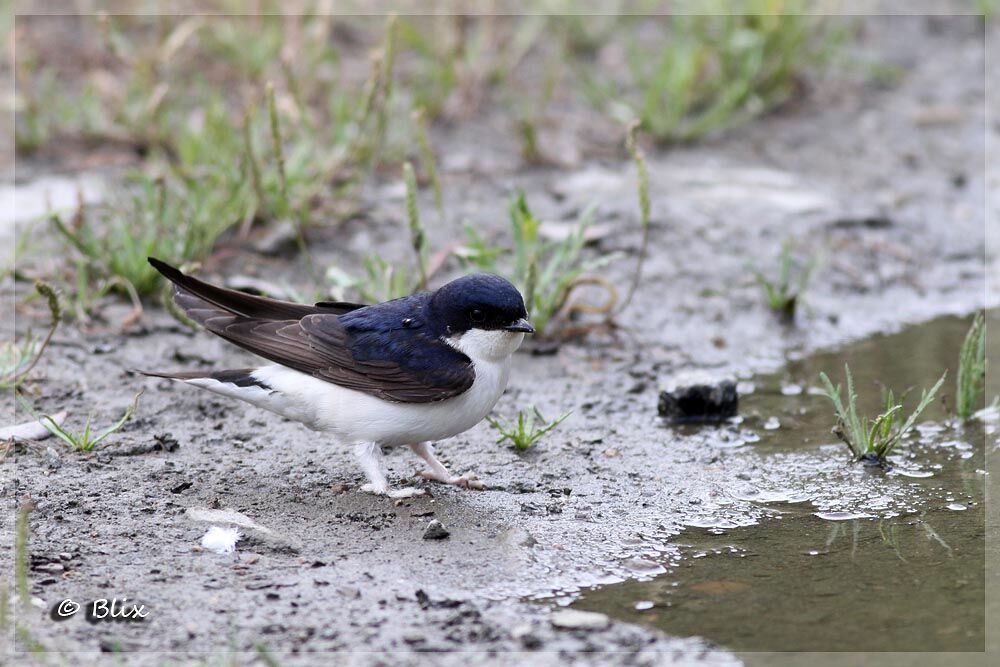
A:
[715,70]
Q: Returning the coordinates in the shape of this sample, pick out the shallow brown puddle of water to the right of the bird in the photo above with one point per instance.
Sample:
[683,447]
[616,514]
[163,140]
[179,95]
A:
[855,580]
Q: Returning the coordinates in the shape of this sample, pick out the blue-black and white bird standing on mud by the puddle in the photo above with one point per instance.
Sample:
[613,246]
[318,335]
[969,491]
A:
[410,371]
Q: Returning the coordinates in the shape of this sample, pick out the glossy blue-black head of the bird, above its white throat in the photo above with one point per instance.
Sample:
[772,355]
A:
[480,301]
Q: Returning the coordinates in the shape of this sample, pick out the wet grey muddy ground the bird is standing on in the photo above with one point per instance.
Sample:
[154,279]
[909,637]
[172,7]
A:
[883,182]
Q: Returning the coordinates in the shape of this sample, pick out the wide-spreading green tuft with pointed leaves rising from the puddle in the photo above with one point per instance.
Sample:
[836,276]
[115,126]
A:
[873,439]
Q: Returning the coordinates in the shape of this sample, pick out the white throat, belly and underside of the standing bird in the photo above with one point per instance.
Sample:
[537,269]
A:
[356,418]
